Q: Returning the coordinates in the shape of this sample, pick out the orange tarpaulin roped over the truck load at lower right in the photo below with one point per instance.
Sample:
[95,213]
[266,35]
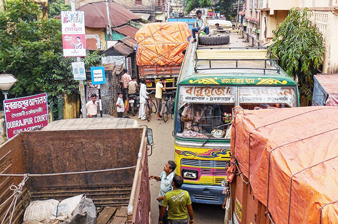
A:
[295,149]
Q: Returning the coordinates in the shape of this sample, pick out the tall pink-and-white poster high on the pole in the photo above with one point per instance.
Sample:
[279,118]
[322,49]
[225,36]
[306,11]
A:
[73,34]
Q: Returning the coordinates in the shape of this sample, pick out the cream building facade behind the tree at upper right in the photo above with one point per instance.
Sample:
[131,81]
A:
[264,16]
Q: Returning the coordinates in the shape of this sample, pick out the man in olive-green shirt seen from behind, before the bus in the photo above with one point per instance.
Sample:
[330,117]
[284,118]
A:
[179,203]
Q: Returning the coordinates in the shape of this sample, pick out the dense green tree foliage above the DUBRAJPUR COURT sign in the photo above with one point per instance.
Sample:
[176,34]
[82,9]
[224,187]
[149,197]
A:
[31,50]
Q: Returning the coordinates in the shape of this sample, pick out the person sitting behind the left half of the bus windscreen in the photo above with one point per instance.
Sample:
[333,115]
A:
[191,118]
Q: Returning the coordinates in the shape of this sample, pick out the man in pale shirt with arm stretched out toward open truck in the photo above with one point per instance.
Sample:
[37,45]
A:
[166,178]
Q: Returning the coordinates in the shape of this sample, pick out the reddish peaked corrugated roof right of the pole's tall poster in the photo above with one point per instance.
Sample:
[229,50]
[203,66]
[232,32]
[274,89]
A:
[96,15]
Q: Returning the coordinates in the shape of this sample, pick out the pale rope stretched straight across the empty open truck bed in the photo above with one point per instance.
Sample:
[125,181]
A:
[66,173]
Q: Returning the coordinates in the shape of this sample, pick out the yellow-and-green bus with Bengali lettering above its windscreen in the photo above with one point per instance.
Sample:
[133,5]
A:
[214,79]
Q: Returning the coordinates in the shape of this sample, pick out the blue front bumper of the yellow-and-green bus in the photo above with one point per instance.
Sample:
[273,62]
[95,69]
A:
[205,194]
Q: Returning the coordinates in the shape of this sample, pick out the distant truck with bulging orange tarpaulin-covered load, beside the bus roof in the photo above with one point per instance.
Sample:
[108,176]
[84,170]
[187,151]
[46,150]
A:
[160,51]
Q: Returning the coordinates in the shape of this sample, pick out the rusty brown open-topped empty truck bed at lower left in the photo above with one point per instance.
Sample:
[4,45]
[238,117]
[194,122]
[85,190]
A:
[104,158]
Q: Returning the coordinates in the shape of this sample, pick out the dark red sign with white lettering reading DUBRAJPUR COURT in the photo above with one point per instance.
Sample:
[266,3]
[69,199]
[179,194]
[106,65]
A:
[25,114]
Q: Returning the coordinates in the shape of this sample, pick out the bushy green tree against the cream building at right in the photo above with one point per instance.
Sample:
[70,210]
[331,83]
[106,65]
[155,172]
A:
[299,47]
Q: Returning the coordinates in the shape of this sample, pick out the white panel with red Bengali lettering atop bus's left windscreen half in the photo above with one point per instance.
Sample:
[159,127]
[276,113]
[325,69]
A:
[206,95]
